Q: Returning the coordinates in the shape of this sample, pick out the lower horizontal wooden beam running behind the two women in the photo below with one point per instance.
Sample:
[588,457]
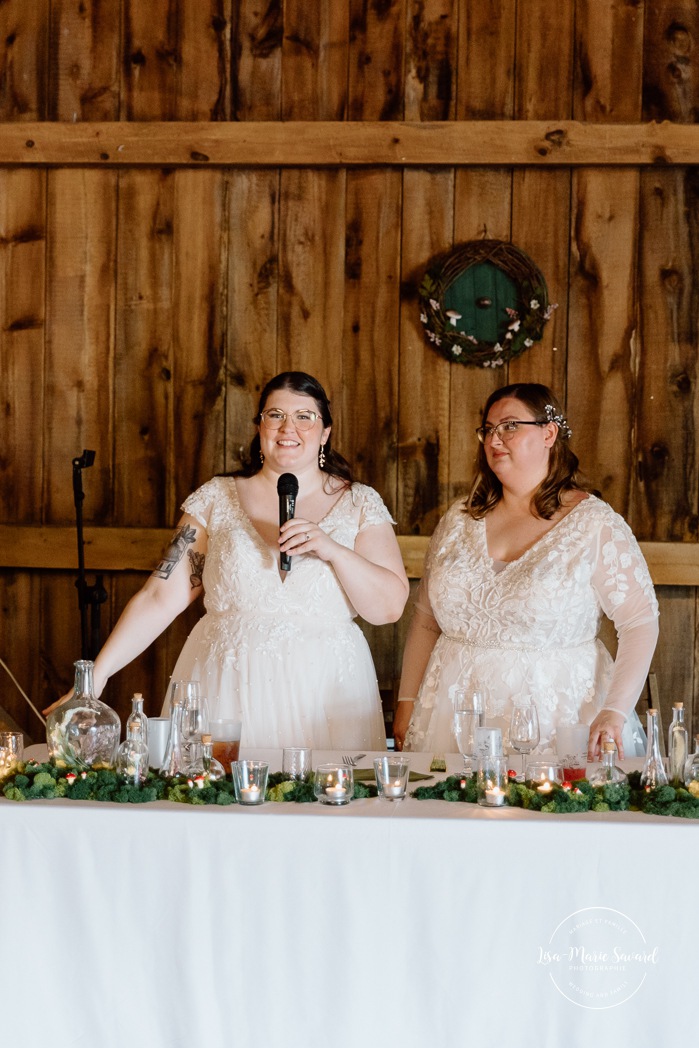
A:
[140,550]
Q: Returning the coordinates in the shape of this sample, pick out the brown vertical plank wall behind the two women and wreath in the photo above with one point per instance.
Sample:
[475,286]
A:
[143,309]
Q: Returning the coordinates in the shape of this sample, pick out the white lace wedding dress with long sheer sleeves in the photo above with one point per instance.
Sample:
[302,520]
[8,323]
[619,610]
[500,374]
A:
[530,628]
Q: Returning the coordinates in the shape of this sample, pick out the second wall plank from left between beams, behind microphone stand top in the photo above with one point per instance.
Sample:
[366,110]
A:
[82,243]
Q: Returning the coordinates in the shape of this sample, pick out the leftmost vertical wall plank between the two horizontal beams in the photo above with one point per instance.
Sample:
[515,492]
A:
[23,252]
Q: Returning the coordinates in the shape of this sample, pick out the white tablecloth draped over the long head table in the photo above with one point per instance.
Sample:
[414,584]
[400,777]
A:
[287,926]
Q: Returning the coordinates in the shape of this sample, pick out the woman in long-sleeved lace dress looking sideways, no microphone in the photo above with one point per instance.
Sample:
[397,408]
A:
[517,579]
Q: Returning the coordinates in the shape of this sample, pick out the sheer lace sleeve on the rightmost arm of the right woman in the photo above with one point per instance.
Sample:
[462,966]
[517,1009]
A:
[625,591]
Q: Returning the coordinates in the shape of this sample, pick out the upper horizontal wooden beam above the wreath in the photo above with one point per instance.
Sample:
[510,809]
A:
[348,144]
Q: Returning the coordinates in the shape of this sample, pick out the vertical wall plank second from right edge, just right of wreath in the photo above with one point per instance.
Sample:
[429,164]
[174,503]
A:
[604,309]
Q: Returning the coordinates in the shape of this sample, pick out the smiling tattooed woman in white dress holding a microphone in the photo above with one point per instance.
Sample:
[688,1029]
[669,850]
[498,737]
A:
[287,553]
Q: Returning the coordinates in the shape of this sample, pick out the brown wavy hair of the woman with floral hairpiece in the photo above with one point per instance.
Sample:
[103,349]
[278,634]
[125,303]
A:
[564,474]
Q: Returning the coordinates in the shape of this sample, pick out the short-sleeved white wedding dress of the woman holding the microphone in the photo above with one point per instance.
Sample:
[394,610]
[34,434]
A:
[285,658]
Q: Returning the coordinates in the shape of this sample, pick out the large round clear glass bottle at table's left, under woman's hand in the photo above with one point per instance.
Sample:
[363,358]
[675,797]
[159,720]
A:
[83,733]
